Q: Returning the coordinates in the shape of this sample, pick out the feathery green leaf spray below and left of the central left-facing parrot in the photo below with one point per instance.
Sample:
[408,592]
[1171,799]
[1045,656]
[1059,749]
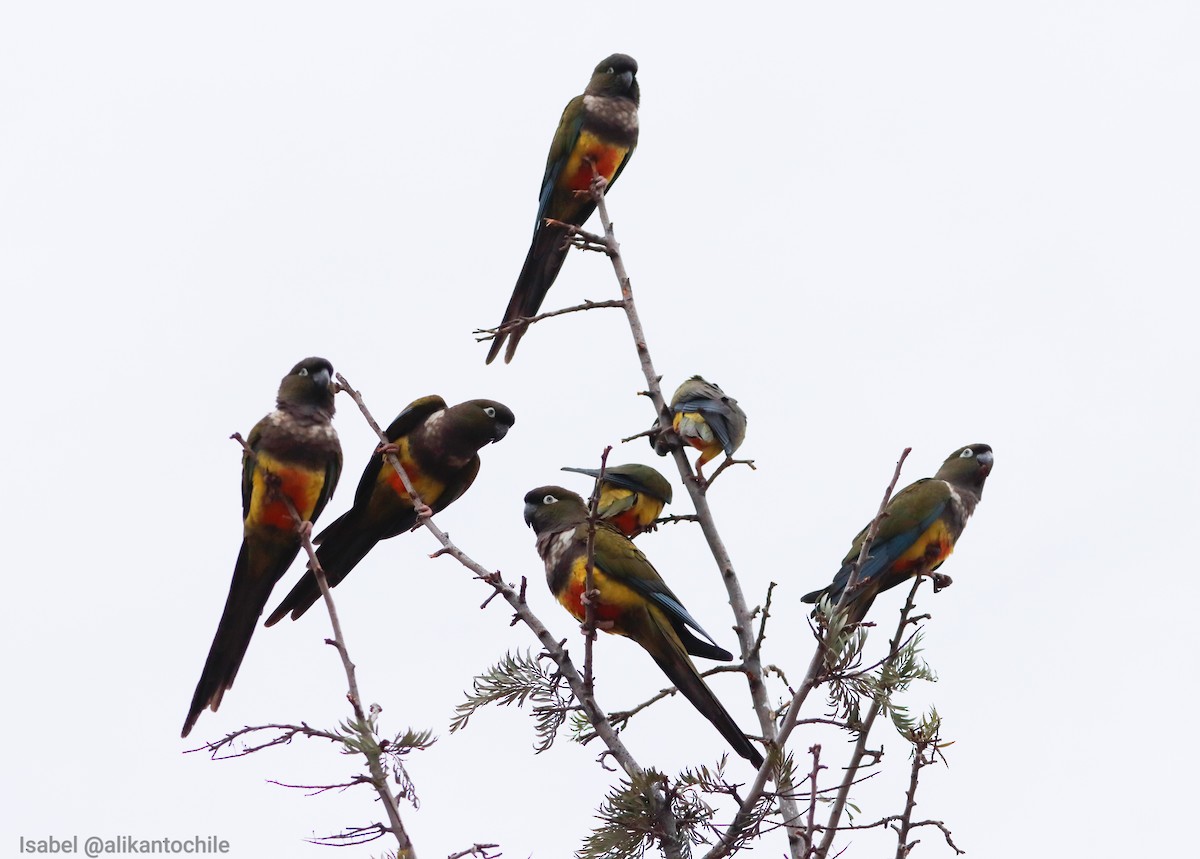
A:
[514,681]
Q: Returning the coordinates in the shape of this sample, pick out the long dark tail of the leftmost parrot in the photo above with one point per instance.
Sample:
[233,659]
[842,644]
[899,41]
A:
[248,598]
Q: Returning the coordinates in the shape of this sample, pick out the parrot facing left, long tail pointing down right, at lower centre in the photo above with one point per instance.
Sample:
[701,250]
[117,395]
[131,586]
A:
[634,600]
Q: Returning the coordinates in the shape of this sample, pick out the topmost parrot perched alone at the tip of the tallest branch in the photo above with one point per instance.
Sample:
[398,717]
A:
[597,135]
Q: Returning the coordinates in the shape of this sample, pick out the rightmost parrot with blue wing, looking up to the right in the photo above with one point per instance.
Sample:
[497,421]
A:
[919,531]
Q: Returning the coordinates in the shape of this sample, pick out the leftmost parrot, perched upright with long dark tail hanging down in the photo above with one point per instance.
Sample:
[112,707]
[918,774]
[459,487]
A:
[297,455]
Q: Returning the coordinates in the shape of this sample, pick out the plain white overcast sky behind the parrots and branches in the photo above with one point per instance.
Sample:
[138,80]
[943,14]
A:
[874,226]
